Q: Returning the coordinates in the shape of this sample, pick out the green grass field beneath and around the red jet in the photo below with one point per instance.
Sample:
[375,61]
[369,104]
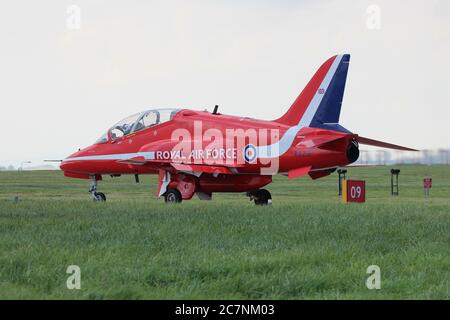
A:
[306,245]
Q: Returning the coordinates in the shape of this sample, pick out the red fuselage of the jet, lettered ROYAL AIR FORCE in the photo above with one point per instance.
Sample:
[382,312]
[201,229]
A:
[214,139]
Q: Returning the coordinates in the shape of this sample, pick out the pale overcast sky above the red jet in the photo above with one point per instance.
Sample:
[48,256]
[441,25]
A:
[69,70]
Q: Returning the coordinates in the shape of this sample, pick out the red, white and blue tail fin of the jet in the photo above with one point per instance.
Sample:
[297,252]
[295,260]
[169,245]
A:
[319,104]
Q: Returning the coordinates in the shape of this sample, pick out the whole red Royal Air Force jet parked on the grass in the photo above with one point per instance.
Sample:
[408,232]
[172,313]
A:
[197,152]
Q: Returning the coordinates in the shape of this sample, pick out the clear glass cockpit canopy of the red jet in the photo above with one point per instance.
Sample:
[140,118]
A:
[138,122]
